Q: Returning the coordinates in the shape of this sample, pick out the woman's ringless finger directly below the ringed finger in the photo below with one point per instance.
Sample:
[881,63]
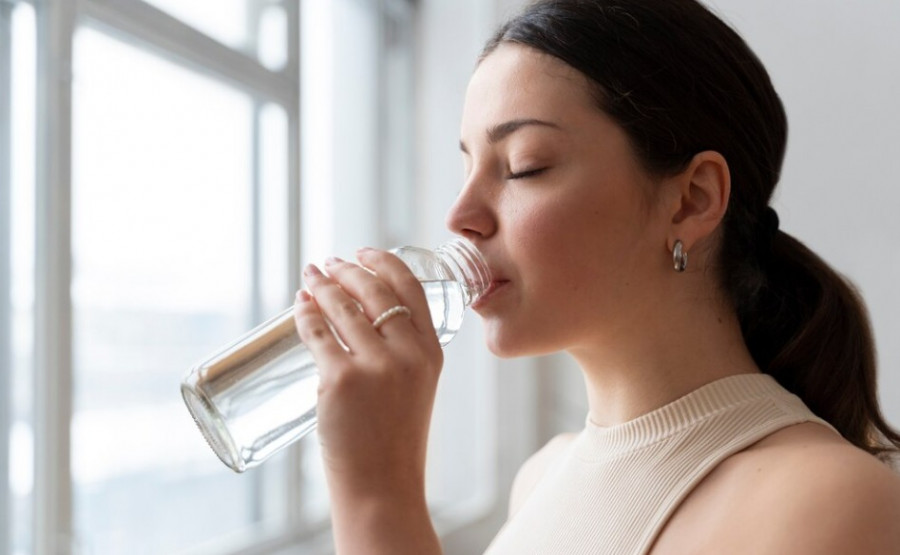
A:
[341,310]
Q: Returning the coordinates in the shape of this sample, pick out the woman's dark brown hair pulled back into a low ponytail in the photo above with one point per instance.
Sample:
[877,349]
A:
[680,81]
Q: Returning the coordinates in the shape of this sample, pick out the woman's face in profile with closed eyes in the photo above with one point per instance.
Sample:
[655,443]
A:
[560,207]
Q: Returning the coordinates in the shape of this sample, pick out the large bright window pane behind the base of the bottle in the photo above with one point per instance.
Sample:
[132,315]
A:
[162,270]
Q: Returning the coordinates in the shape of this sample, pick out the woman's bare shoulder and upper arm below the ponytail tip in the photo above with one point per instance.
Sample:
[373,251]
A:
[802,490]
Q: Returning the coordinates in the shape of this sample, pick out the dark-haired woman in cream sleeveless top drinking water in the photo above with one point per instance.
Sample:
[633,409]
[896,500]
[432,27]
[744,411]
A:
[620,156]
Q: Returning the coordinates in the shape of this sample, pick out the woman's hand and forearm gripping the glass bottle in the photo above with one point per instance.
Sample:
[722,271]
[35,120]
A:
[375,398]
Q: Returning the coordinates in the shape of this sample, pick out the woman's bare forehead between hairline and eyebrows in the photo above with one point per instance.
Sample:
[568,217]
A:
[516,81]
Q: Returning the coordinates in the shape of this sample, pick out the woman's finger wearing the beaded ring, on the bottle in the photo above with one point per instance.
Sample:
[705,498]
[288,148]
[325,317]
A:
[375,295]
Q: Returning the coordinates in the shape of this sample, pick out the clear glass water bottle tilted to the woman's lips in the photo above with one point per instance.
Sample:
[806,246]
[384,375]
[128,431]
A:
[257,395]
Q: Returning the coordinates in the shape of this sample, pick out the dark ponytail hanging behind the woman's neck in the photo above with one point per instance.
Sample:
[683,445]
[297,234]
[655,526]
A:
[808,327]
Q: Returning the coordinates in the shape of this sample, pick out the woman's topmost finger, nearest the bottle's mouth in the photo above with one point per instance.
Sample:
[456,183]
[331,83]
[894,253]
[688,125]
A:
[402,282]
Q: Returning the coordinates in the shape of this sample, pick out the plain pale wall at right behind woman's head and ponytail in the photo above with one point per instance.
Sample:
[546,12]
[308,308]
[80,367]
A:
[835,65]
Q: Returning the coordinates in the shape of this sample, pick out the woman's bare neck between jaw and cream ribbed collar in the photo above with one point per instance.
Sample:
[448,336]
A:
[656,360]
